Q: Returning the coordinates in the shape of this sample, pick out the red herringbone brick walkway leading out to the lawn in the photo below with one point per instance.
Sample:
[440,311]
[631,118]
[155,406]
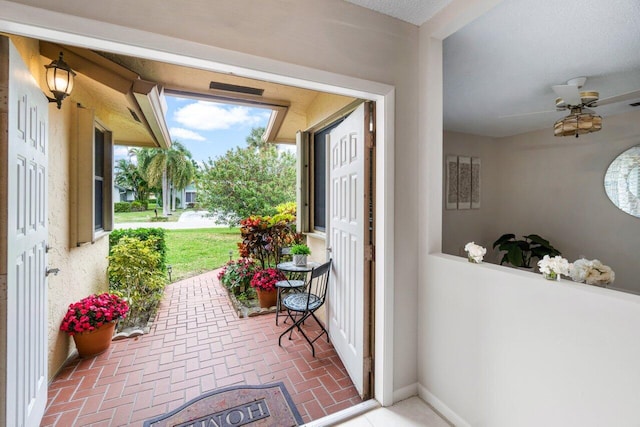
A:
[197,344]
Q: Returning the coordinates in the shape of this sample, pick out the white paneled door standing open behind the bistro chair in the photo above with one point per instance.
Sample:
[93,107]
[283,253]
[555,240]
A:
[346,237]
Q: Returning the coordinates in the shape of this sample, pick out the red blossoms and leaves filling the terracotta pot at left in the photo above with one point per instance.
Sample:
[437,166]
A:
[91,312]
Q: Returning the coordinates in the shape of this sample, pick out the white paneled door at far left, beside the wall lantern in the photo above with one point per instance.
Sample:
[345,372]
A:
[26,388]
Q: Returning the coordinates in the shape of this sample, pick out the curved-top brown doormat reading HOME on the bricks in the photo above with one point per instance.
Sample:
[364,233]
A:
[257,405]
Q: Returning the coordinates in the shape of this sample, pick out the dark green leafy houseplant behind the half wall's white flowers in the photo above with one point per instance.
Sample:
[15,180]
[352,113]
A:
[519,253]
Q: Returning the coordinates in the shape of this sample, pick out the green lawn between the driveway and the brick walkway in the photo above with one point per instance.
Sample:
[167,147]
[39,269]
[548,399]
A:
[191,252]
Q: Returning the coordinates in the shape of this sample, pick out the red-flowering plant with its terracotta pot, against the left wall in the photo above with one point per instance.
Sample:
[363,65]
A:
[92,320]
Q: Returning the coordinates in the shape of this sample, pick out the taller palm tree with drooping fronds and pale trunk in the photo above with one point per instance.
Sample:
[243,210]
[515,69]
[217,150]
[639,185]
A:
[167,168]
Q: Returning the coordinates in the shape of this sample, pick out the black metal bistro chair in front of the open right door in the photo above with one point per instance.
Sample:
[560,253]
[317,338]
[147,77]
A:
[303,305]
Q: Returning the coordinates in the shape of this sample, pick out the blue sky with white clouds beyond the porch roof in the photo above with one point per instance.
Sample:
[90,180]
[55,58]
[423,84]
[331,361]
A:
[208,129]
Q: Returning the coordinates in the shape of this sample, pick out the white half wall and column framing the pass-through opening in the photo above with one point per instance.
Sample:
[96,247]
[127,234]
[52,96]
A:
[502,347]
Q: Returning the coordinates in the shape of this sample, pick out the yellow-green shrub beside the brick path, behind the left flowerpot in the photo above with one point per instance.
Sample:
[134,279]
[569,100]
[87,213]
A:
[134,268]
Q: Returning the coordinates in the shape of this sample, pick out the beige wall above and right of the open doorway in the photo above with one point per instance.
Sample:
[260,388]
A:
[348,41]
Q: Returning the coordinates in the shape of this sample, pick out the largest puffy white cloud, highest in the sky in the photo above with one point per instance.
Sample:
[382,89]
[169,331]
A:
[203,115]
